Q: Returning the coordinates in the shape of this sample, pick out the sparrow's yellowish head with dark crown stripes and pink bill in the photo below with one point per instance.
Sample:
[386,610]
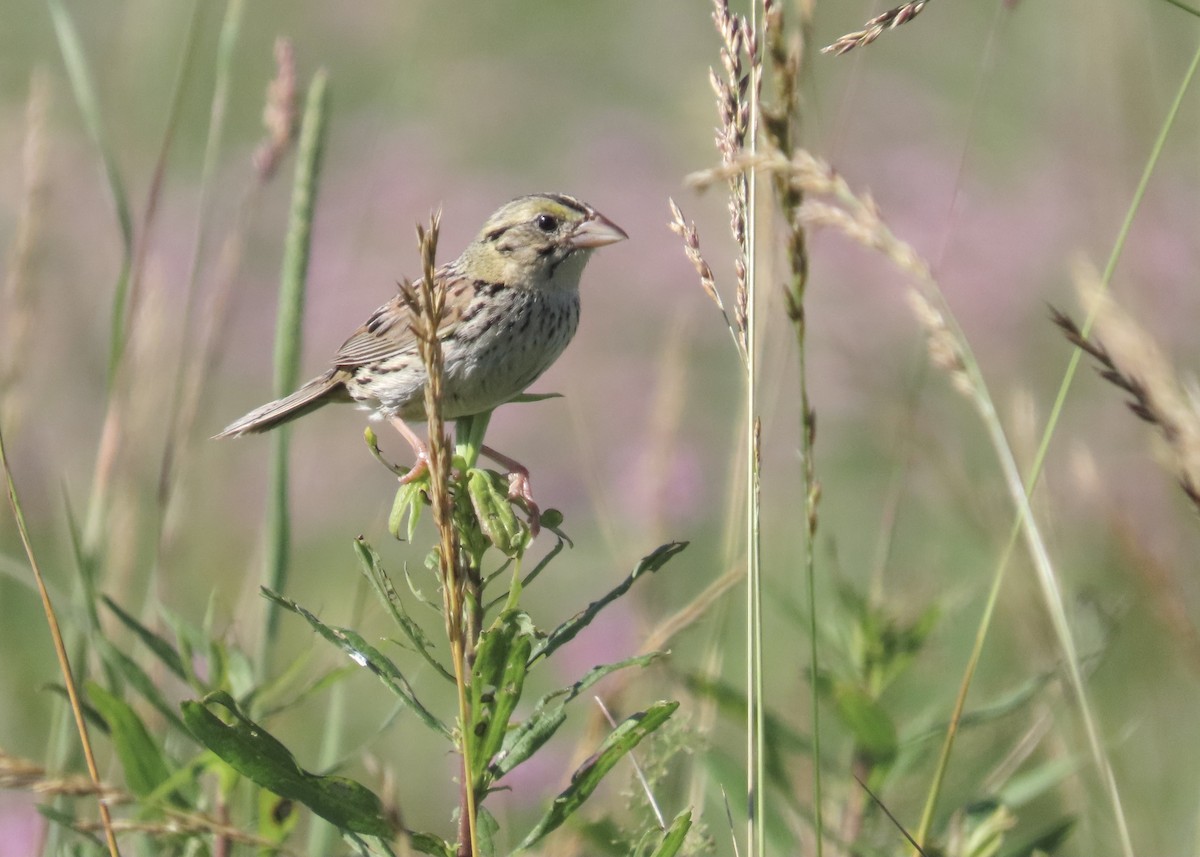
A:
[539,242]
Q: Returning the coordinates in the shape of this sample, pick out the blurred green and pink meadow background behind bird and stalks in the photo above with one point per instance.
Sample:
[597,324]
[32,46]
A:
[1004,141]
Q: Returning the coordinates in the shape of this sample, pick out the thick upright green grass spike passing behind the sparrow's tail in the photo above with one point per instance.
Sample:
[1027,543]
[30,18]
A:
[289,335]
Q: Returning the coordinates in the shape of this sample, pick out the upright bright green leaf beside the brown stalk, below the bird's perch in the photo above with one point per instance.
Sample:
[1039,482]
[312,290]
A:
[497,679]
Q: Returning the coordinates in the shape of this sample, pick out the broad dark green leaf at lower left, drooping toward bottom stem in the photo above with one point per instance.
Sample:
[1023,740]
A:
[256,754]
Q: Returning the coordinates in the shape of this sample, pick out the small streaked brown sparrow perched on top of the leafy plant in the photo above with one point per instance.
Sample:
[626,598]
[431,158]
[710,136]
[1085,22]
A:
[512,305]
